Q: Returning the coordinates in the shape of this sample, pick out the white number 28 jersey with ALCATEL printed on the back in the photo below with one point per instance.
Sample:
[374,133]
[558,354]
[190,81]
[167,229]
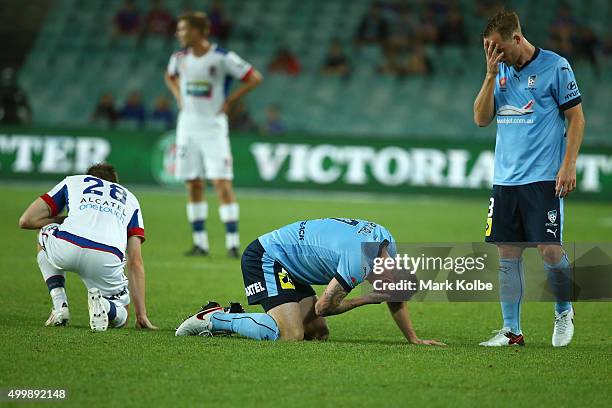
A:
[101,215]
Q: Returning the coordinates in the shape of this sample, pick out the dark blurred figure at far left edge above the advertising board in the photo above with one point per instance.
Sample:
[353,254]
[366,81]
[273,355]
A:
[14,106]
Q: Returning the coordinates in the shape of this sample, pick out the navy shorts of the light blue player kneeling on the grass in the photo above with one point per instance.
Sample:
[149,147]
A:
[267,282]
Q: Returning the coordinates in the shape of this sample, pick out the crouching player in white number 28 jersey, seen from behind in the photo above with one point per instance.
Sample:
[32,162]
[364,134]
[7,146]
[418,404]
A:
[103,225]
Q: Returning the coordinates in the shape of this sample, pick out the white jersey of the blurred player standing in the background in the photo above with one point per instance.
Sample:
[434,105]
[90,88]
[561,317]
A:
[204,81]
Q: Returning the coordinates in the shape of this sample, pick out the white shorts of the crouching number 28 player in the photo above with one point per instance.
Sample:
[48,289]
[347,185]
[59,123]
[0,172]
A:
[97,269]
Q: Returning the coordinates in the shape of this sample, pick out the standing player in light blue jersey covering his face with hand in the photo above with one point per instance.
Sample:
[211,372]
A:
[532,92]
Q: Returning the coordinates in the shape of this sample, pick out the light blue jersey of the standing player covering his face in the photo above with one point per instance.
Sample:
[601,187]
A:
[529,103]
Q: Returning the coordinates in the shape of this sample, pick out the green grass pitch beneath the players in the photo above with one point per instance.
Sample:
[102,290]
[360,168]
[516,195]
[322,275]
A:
[366,362]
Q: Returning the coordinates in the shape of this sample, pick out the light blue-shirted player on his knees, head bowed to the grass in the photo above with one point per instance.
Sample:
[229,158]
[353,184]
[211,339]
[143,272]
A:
[278,269]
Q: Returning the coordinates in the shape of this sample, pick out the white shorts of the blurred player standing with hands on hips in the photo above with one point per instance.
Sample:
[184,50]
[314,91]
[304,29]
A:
[203,150]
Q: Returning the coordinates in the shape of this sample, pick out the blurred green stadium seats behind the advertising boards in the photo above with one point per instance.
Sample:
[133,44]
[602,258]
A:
[74,60]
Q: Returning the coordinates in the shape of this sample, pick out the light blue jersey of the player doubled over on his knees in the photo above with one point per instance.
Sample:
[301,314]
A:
[315,251]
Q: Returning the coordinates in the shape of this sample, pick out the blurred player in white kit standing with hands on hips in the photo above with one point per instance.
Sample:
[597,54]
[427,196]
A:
[200,76]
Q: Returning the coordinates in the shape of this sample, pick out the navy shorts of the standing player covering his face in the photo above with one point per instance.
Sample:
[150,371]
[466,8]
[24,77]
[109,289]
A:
[529,213]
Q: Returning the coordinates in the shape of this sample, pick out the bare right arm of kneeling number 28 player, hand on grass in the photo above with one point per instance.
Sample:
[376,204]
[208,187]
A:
[136,282]
